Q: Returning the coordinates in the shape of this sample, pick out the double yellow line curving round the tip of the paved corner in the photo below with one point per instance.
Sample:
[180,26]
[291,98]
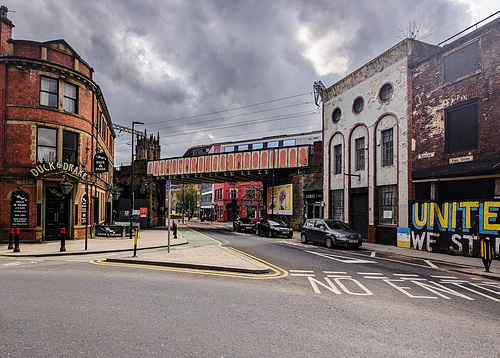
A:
[276,272]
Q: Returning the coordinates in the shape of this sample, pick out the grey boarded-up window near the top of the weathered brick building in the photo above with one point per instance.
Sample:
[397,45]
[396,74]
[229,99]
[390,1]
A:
[462,63]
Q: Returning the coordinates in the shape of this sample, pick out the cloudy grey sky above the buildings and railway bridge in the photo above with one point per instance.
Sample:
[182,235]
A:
[211,71]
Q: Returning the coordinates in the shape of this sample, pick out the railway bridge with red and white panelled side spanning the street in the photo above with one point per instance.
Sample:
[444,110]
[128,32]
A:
[298,165]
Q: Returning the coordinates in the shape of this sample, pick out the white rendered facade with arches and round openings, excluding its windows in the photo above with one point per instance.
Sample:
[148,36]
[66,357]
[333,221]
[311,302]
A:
[375,117]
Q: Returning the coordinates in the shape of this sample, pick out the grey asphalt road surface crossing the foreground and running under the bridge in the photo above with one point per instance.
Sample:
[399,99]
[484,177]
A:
[341,303]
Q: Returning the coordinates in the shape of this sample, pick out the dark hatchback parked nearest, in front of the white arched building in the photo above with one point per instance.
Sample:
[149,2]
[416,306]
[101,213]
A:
[330,233]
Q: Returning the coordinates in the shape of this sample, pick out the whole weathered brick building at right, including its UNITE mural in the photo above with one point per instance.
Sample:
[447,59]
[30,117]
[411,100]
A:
[455,148]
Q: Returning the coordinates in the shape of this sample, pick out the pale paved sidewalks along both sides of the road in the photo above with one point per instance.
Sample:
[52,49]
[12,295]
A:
[193,249]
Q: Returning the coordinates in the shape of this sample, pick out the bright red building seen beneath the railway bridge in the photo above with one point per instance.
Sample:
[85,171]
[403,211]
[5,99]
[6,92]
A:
[243,199]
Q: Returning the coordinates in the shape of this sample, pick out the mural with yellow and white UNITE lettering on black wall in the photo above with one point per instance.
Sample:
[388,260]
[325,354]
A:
[454,226]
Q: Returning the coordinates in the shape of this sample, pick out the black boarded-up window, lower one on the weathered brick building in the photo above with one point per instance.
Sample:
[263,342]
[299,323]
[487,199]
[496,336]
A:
[461,127]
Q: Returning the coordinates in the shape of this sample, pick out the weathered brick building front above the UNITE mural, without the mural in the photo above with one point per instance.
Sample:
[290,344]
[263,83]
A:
[455,152]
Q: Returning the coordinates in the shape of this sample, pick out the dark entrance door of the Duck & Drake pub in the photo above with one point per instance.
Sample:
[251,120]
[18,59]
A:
[56,213]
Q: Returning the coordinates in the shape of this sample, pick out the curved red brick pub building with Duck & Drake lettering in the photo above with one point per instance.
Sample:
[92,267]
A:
[56,142]
